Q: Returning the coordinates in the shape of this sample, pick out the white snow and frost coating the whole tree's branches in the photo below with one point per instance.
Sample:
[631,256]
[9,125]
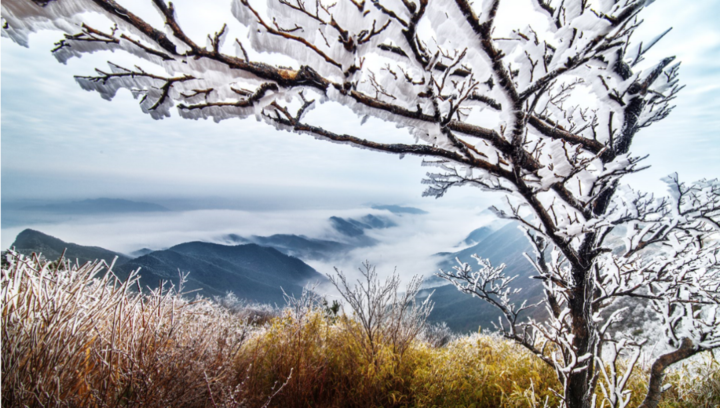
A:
[645,236]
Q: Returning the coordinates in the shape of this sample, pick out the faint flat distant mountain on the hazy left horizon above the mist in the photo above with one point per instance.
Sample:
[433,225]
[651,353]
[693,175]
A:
[98,206]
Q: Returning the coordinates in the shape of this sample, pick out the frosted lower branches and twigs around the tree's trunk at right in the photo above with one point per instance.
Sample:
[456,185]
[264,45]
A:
[662,254]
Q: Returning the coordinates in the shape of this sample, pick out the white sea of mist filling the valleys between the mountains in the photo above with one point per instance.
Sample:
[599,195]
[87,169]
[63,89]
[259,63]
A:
[408,248]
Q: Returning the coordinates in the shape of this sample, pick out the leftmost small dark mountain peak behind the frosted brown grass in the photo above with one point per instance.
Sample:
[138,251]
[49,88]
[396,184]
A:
[29,241]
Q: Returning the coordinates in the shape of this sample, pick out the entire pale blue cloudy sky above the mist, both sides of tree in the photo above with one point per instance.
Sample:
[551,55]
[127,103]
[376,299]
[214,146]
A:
[61,143]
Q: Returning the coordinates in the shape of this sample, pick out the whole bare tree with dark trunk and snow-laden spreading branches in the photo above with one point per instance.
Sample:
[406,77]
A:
[545,111]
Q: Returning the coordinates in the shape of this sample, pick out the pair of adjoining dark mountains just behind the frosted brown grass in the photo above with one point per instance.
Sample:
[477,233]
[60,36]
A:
[252,272]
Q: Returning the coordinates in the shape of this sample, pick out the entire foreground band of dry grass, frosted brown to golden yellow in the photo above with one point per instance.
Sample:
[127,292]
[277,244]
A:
[73,336]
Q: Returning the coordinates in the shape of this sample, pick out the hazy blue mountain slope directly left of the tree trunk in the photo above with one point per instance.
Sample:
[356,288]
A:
[464,313]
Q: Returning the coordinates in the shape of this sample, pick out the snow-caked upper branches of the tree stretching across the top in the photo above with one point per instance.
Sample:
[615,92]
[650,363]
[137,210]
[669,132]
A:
[469,92]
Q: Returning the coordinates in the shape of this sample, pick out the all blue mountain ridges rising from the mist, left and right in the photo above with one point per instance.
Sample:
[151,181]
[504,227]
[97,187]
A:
[255,267]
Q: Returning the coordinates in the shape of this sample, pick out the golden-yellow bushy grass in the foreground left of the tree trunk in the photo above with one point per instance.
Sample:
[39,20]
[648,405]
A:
[330,368]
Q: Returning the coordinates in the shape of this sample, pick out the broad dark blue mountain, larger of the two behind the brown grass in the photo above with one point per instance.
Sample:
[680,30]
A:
[250,271]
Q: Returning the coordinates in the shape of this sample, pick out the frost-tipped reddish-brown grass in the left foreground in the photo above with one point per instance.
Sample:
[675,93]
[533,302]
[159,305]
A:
[73,336]
